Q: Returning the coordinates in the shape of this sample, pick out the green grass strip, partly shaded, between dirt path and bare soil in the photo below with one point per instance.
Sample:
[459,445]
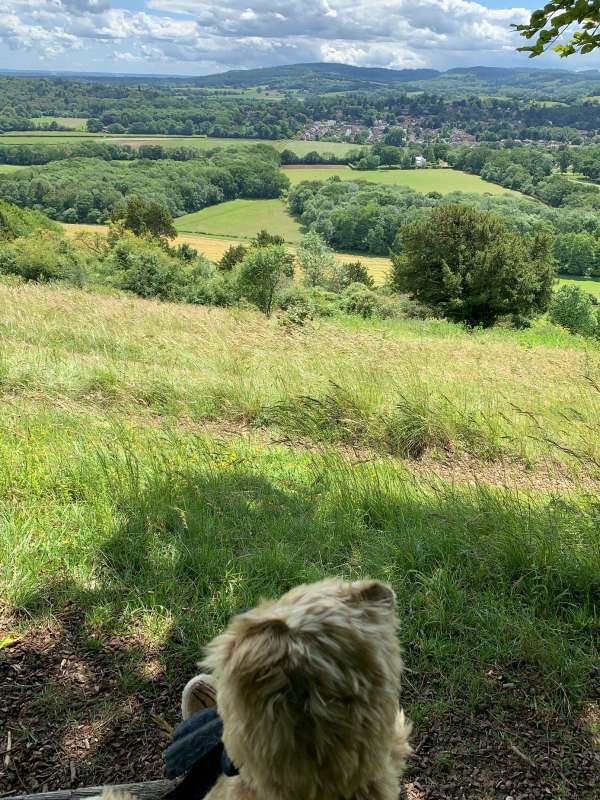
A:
[170,533]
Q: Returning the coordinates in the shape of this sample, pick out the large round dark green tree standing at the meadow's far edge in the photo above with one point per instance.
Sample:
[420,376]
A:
[472,268]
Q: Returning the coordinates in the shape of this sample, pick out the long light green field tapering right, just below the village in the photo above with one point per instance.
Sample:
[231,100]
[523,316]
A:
[422,180]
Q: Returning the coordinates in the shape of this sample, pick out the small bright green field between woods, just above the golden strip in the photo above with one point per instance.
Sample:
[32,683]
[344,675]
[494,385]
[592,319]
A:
[243,218]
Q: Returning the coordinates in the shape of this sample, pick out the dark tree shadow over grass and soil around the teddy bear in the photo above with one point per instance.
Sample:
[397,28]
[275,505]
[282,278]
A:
[195,546]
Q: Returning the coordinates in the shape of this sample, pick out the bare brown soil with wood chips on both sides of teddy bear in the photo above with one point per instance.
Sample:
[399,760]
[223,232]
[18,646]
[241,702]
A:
[81,711]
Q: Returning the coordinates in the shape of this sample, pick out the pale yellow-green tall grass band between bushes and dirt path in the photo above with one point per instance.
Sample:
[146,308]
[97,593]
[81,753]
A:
[404,388]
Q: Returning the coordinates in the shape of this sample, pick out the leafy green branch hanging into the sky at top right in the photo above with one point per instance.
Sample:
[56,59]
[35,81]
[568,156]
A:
[579,19]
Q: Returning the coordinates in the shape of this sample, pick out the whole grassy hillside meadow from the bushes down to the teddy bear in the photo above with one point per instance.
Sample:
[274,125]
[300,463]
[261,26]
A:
[163,466]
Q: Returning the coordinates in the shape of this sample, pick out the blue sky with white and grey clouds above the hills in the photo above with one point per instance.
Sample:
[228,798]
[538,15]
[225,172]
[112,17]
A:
[199,37]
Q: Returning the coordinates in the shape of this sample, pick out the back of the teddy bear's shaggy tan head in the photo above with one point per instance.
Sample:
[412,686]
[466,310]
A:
[308,686]
